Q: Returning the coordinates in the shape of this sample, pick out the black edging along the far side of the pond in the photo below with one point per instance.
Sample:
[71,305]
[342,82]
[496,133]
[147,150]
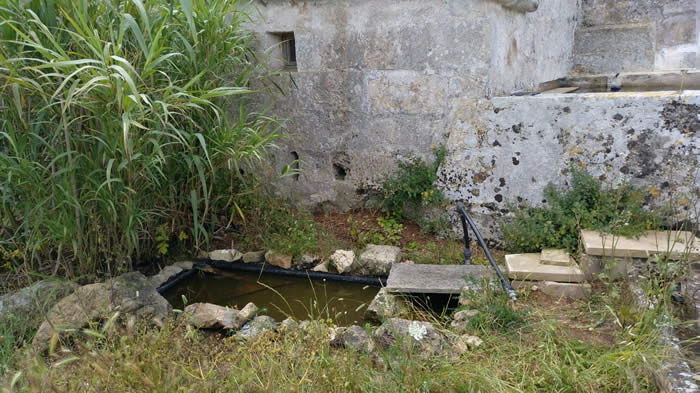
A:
[269,269]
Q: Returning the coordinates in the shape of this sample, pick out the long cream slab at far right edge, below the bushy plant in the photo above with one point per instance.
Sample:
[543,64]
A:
[676,243]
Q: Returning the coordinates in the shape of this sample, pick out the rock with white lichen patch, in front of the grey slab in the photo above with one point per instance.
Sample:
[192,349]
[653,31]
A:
[421,338]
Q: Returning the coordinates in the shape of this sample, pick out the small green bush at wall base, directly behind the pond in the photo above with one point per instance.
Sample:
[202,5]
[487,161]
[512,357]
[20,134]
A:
[413,184]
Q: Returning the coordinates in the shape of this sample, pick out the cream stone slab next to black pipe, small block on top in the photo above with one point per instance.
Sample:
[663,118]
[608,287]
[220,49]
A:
[528,267]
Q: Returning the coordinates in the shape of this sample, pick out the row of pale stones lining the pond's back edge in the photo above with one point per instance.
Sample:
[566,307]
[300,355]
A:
[375,260]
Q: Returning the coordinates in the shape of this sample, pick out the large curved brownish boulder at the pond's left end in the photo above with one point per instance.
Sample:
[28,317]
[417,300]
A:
[129,294]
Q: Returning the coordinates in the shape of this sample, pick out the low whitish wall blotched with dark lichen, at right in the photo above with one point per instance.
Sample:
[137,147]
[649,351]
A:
[507,149]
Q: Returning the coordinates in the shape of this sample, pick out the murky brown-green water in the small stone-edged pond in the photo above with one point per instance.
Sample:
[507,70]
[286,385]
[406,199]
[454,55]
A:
[280,296]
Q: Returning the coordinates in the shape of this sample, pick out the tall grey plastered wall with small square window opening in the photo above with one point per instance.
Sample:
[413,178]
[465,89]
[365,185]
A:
[378,80]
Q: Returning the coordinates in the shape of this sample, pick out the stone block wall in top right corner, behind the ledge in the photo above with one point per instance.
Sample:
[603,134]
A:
[640,35]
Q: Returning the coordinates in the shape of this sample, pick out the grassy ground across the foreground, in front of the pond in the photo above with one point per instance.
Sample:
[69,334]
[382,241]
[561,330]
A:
[598,345]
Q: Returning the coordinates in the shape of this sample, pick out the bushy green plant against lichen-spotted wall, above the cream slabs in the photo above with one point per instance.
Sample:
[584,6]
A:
[586,204]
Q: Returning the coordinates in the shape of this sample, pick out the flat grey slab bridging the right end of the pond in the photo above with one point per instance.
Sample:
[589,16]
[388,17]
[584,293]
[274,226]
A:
[406,278]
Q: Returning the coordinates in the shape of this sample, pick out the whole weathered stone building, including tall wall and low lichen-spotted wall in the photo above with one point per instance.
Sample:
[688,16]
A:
[376,81]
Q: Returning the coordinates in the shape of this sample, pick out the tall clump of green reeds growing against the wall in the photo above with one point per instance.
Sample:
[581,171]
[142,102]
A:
[118,117]
